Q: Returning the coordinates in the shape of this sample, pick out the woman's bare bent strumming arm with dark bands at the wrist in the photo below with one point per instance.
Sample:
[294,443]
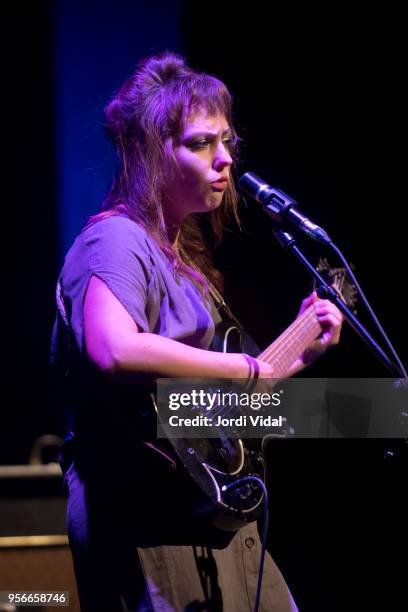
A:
[114,344]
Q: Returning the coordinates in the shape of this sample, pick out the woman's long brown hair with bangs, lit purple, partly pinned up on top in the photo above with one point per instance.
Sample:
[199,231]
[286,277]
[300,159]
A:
[145,115]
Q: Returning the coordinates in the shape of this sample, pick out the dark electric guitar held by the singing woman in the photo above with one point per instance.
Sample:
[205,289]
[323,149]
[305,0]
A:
[218,465]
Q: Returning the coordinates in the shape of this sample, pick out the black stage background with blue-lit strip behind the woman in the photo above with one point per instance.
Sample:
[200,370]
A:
[319,103]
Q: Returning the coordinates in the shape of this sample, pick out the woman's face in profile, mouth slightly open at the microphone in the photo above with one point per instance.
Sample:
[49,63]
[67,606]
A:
[199,179]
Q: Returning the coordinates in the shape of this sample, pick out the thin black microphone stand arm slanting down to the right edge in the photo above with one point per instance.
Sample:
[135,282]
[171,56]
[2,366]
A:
[326,292]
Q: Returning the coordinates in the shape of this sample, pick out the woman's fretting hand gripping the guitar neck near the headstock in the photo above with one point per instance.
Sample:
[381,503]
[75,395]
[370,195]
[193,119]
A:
[330,319]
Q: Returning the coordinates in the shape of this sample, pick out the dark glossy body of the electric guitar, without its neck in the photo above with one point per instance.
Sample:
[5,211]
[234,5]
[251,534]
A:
[218,464]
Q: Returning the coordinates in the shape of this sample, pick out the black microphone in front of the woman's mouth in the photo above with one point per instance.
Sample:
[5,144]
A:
[280,206]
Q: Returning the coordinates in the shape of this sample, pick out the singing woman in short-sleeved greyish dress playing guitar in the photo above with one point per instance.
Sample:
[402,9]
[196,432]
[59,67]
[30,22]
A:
[134,304]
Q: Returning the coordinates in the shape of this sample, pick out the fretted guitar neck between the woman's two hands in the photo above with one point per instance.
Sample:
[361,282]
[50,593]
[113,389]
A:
[282,353]
